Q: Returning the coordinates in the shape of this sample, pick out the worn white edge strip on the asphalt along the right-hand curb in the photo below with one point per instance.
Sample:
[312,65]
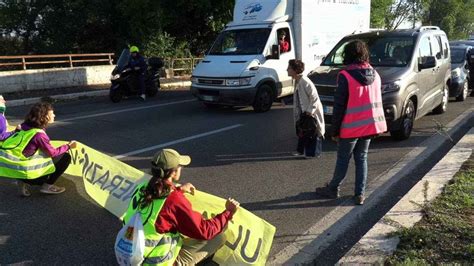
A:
[325,232]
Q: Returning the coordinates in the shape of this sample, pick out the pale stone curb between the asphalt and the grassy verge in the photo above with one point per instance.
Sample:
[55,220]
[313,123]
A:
[377,243]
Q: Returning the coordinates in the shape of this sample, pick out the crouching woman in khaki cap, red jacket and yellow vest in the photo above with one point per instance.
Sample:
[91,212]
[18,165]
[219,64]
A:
[167,216]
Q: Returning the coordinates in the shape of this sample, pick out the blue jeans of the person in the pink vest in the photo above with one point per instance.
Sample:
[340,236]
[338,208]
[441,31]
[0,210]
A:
[345,148]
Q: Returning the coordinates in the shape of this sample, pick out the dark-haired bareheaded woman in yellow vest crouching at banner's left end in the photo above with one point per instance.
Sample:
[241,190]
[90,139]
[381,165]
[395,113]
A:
[37,162]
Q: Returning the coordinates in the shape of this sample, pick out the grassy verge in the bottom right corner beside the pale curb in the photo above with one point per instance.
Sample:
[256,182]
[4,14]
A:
[445,235]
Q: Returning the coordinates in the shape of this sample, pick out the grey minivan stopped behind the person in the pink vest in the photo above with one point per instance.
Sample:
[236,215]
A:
[415,69]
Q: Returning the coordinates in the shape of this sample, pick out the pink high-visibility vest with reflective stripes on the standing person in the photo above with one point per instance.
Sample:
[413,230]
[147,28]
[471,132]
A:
[364,113]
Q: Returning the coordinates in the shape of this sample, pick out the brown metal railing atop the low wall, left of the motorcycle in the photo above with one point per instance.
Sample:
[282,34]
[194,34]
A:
[54,59]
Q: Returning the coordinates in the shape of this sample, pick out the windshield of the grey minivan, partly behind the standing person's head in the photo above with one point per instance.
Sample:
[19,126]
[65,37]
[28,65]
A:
[384,51]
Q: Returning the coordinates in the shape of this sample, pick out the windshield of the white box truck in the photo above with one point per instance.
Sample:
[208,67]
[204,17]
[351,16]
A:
[240,42]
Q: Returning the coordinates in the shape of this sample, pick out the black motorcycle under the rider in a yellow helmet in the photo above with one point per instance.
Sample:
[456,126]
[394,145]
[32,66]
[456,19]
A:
[125,81]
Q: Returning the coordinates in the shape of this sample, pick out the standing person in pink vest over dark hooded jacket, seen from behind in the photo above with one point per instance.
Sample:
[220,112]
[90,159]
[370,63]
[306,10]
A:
[358,116]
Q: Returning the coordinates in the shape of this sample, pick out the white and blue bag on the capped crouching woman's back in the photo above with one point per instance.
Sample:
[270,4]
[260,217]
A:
[130,242]
